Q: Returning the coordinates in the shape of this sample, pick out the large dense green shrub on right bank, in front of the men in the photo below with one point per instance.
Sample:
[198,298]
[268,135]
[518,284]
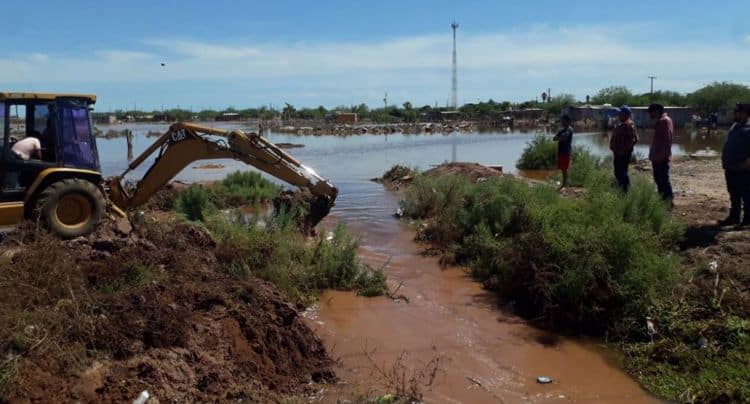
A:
[591,264]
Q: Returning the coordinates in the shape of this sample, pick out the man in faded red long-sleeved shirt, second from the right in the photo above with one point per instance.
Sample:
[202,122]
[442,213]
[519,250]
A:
[660,152]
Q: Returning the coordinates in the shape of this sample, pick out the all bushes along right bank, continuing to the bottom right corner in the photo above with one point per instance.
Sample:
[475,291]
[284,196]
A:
[602,263]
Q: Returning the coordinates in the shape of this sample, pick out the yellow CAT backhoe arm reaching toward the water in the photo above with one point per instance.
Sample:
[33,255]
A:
[185,143]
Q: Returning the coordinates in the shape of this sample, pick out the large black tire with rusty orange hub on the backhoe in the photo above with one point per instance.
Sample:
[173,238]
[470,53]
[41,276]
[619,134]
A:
[71,207]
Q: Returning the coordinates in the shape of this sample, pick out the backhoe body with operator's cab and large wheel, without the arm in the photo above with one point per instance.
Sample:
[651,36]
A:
[49,165]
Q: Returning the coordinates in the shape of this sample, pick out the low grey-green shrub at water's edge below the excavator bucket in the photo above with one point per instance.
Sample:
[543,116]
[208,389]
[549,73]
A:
[278,253]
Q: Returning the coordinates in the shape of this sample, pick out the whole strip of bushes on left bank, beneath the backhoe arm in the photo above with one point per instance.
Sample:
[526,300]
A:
[273,246]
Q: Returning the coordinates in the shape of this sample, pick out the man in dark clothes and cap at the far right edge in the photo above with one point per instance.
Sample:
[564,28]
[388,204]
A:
[735,160]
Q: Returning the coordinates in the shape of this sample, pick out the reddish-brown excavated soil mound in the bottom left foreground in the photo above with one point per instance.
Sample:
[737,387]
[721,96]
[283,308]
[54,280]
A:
[102,318]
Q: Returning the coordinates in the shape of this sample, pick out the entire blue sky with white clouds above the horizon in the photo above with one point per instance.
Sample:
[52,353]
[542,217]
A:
[221,53]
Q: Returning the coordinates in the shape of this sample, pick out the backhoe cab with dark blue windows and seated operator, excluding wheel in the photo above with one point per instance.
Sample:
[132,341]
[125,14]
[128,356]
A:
[60,123]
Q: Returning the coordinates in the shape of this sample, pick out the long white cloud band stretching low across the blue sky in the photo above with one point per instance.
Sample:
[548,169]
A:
[504,65]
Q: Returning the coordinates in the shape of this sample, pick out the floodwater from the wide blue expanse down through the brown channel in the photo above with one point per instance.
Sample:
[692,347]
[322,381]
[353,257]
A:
[485,354]
